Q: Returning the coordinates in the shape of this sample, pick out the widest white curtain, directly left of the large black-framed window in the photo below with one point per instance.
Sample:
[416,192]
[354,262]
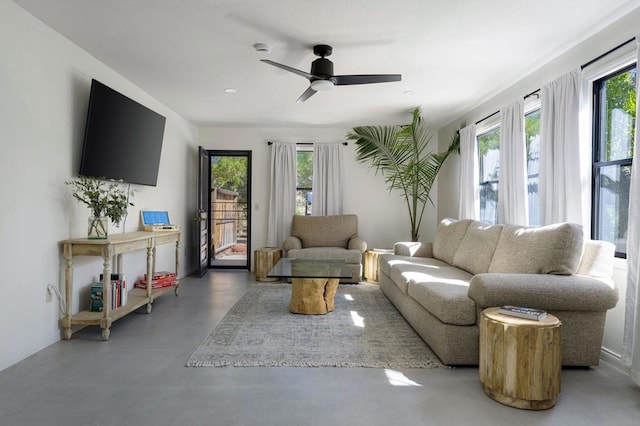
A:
[561,190]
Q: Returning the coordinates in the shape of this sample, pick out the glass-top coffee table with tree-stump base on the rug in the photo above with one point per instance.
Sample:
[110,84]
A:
[314,283]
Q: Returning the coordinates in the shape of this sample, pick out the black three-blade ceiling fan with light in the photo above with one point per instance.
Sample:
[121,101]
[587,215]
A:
[321,76]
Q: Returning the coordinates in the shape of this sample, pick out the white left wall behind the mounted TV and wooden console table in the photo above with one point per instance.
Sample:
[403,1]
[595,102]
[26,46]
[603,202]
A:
[44,87]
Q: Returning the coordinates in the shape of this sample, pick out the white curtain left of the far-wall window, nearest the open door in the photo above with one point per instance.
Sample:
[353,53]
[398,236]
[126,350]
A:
[282,194]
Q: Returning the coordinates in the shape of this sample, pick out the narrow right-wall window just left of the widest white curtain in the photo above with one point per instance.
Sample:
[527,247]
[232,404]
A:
[532,139]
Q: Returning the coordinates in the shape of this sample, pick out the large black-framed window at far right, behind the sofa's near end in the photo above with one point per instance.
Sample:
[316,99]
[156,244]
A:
[614,117]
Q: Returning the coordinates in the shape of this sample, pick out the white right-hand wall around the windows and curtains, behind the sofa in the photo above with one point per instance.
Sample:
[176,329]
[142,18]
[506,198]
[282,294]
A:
[600,43]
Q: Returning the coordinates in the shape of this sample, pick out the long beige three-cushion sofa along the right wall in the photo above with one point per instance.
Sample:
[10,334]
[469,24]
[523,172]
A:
[441,287]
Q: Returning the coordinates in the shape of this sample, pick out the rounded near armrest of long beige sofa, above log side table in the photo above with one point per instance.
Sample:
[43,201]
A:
[543,291]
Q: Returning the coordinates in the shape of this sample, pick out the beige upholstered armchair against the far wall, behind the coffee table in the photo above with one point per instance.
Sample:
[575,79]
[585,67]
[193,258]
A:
[327,237]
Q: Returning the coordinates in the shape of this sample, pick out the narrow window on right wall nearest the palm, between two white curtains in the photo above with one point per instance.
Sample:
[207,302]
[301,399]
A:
[489,168]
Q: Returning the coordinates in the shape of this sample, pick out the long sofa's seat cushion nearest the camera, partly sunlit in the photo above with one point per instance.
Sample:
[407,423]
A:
[444,295]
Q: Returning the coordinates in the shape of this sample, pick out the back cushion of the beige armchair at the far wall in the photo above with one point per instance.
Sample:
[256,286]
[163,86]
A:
[325,231]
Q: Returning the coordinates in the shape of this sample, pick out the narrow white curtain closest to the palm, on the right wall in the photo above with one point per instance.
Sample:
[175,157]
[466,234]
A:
[469,198]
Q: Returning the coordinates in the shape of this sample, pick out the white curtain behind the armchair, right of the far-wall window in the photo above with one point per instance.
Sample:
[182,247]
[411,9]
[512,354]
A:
[327,179]
